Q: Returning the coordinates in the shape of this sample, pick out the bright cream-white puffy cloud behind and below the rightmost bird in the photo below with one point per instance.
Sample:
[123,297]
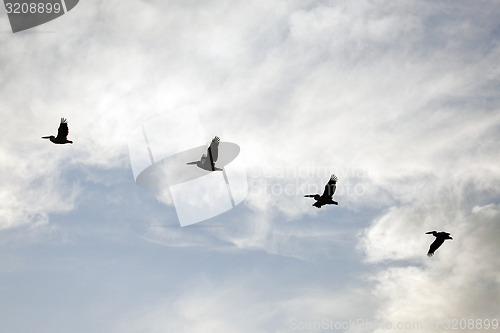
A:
[460,281]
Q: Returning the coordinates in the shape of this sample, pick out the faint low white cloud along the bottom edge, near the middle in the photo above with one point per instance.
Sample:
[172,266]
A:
[248,305]
